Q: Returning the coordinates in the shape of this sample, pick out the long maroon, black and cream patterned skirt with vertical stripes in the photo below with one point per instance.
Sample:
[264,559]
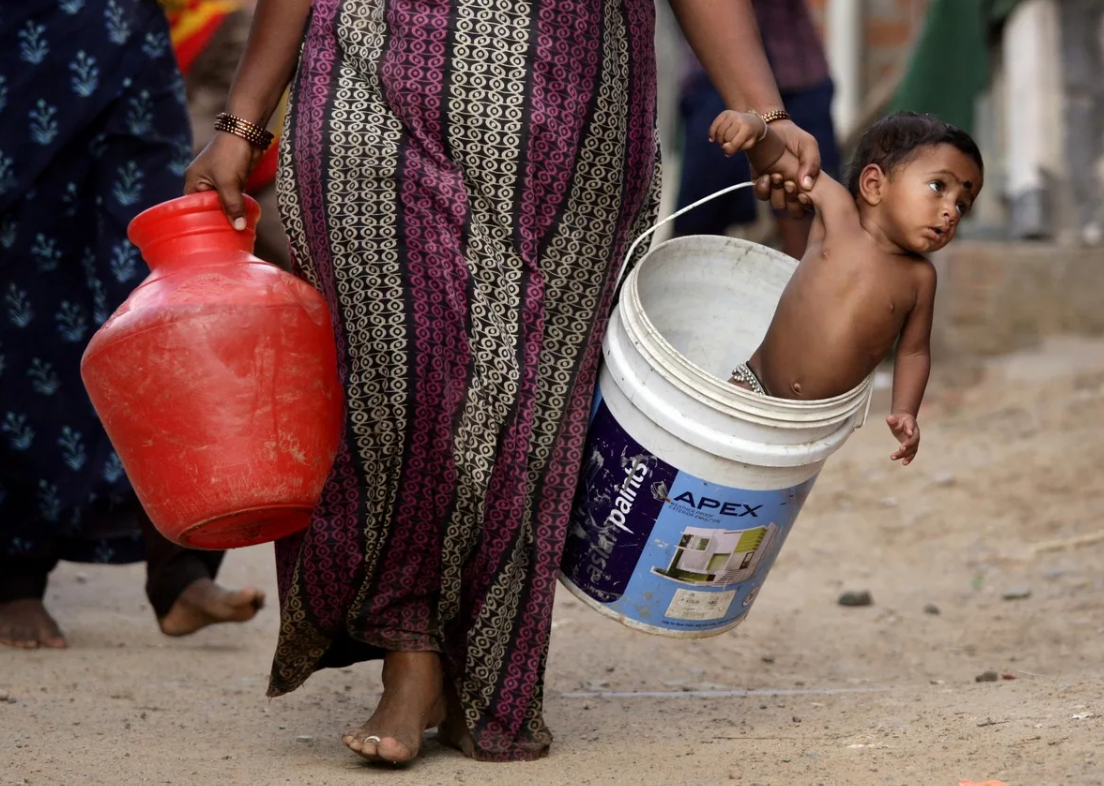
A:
[461,179]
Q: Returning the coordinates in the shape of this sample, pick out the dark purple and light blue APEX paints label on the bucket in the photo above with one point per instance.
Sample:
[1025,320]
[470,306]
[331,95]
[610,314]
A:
[663,547]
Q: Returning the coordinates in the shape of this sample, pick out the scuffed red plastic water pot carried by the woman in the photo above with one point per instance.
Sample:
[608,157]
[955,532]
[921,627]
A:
[217,383]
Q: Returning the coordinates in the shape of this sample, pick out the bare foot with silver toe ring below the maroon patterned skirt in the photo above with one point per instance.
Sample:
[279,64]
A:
[413,702]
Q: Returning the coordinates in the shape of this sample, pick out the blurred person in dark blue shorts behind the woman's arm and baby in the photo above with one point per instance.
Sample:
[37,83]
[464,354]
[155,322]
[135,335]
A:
[801,69]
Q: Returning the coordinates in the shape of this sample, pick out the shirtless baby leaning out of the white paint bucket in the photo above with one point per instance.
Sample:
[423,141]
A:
[865,282]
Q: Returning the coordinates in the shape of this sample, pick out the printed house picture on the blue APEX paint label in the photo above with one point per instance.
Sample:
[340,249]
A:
[718,558]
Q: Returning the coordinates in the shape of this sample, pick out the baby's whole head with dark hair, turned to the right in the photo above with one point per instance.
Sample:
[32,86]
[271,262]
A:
[920,176]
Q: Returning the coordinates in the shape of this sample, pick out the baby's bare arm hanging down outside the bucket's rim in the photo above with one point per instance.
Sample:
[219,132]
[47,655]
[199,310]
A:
[912,367]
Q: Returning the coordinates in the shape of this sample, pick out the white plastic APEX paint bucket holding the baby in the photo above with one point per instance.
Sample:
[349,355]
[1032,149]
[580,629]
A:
[691,485]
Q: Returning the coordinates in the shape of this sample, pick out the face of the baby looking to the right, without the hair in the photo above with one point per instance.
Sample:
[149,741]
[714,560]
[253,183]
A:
[928,197]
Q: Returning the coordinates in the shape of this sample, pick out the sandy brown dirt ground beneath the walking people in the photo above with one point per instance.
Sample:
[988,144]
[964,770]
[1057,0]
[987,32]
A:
[1006,497]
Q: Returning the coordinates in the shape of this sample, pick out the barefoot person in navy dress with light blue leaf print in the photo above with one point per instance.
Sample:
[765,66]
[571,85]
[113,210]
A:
[94,132]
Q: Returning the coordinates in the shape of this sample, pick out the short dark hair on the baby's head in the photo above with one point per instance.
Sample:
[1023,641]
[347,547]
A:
[895,140]
